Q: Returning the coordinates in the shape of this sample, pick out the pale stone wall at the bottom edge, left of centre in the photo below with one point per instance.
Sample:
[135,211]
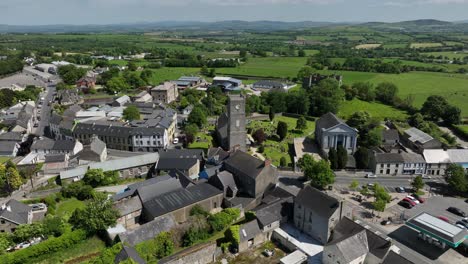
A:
[199,254]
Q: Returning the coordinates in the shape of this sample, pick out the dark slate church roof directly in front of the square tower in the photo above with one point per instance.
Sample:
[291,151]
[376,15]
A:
[245,163]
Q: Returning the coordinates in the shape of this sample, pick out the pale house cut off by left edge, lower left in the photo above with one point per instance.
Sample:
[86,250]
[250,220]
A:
[13,214]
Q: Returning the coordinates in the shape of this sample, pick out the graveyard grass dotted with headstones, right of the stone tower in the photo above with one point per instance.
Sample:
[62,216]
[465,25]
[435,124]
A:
[275,150]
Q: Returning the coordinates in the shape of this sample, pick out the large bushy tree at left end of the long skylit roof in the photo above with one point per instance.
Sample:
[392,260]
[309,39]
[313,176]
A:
[97,215]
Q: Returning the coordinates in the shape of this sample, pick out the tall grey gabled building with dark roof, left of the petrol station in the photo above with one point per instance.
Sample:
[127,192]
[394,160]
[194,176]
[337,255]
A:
[316,213]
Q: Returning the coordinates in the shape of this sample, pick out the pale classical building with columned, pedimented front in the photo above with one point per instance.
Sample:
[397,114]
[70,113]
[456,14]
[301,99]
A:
[331,132]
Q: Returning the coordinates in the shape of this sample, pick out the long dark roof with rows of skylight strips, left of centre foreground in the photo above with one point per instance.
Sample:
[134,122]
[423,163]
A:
[177,199]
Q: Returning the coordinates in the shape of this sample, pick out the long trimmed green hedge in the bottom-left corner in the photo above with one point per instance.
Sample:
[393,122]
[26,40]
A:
[49,246]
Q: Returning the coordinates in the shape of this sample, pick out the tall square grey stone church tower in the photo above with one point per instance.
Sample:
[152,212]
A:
[231,128]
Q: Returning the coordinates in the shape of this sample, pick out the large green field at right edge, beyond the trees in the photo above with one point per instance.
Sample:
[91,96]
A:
[454,87]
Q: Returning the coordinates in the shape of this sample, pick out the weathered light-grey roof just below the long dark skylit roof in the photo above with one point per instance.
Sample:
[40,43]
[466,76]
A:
[148,231]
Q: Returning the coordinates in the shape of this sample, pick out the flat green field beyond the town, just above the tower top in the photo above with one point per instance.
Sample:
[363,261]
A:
[278,67]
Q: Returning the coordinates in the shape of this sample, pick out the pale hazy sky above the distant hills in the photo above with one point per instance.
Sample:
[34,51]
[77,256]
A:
[79,12]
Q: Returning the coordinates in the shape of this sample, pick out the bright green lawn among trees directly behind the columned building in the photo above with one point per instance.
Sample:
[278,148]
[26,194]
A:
[375,109]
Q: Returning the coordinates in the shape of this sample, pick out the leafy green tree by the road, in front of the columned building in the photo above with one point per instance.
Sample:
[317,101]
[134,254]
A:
[319,172]
